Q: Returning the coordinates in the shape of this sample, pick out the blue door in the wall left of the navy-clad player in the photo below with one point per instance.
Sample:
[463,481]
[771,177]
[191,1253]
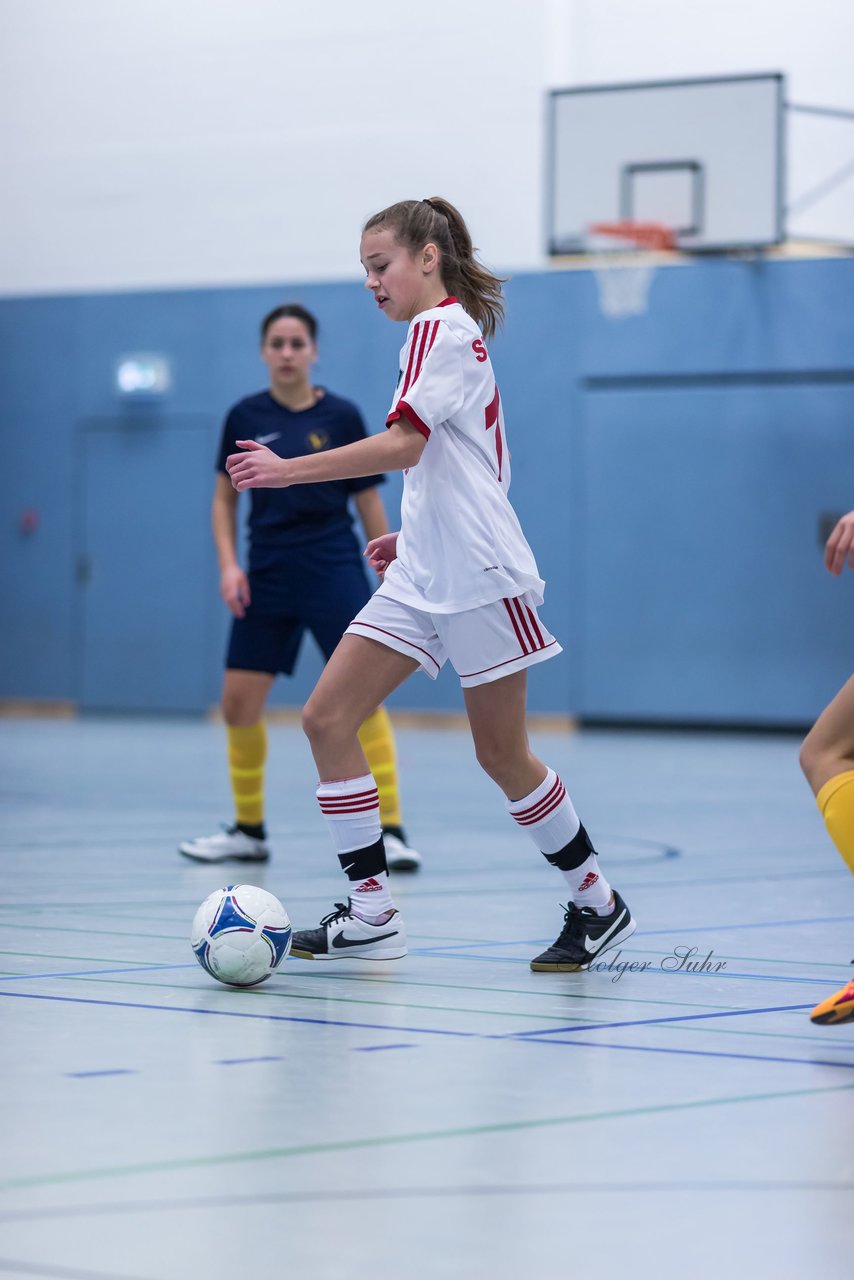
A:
[149,628]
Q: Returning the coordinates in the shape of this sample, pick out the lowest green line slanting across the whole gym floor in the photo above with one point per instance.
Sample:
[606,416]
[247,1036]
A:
[322,1149]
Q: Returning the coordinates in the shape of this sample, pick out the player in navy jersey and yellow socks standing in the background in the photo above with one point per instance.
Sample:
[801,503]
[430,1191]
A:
[305,574]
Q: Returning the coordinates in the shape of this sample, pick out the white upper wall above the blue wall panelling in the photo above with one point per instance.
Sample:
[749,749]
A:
[199,143]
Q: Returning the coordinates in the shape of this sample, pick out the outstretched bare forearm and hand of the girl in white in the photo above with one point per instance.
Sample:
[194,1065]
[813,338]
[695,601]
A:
[258,468]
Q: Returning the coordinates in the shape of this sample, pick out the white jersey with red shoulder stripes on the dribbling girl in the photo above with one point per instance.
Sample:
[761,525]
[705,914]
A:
[462,545]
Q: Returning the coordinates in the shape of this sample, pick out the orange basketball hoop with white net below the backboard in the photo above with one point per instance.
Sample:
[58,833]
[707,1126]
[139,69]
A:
[624,263]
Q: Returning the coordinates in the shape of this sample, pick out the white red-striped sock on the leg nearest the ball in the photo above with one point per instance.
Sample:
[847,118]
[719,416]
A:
[351,810]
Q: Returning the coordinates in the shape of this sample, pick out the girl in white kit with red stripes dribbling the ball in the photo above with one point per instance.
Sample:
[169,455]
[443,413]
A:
[460,584]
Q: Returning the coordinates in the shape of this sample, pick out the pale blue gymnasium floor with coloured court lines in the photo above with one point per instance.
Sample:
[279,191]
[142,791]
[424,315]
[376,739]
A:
[451,1114]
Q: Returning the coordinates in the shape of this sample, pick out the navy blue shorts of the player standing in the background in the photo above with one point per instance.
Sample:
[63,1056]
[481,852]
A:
[285,607]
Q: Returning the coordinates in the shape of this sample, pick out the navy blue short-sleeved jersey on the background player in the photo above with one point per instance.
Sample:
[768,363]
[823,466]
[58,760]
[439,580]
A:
[282,519]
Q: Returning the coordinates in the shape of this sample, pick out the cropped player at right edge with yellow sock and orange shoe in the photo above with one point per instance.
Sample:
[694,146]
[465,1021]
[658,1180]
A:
[828,761]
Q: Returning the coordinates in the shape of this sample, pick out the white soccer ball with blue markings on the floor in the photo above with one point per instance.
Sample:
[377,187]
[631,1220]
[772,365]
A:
[241,935]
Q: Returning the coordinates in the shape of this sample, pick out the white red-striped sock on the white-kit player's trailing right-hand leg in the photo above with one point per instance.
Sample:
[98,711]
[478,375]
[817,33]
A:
[550,820]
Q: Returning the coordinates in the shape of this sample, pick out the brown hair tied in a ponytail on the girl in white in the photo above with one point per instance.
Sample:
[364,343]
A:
[417,223]
